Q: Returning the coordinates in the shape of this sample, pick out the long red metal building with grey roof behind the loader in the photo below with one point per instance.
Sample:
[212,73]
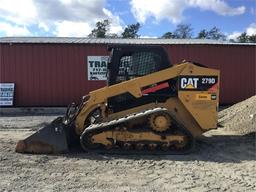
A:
[53,71]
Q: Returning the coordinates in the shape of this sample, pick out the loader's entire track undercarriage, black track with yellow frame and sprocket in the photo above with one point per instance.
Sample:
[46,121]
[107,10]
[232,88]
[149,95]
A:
[153,131]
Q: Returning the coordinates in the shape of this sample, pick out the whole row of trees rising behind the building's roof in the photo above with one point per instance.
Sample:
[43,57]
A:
[182,31]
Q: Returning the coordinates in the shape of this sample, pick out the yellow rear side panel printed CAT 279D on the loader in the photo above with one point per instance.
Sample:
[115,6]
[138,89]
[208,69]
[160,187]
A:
[199,92]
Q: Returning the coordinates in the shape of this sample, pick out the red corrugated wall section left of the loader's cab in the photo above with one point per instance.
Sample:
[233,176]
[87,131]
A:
[48,74]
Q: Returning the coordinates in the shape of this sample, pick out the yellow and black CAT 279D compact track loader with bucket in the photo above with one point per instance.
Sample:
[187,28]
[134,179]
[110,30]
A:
[148,106]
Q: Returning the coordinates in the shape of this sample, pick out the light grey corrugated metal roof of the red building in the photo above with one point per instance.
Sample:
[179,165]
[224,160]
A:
[148,41]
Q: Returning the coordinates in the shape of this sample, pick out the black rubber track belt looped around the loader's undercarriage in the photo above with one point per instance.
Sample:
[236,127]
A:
[106,126]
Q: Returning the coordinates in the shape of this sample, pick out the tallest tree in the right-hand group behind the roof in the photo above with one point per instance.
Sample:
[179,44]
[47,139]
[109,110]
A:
[183,31]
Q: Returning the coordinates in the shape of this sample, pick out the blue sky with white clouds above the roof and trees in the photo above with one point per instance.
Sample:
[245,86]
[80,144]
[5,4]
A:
[77,18]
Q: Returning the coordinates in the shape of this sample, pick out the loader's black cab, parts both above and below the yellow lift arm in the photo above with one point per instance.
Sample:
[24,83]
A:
[129,62]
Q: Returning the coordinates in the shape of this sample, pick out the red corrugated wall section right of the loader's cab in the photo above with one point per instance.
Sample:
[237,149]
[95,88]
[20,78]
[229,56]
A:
[237,65]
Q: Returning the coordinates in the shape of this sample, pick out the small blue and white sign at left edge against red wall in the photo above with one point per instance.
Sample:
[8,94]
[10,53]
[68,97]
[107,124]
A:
[6,94]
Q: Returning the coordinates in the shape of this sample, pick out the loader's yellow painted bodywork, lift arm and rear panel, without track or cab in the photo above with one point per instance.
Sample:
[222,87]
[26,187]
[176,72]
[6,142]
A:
[195,109]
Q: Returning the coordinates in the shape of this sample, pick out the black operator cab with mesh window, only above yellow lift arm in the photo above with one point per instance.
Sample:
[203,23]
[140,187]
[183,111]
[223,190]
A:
[129,61]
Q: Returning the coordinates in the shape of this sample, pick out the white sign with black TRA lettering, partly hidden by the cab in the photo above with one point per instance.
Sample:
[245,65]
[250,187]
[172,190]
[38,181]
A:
[97,67]
